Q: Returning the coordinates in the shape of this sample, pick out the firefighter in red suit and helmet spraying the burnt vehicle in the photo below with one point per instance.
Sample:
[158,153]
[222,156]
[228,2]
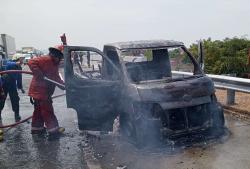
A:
[41,91]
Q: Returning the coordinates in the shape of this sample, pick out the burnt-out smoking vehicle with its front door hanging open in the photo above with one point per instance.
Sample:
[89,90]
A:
[133,82]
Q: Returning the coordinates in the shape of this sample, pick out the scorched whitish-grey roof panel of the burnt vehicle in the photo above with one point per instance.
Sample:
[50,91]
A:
[142,44]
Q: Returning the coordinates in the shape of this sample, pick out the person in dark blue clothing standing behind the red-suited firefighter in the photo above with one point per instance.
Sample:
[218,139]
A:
[12,82]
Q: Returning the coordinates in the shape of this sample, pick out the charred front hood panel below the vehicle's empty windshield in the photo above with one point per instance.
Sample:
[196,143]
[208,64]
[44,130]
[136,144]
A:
[188,91]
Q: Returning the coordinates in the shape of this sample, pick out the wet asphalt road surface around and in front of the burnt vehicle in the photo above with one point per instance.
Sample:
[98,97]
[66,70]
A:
[80,150]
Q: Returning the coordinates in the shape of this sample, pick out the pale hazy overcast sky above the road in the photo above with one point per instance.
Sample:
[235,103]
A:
[39,23]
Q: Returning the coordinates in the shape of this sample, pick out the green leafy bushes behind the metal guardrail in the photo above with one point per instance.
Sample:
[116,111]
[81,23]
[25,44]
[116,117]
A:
[225,57]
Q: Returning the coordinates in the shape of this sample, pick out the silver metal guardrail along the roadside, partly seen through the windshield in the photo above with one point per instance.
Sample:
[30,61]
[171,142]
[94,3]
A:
[232,84]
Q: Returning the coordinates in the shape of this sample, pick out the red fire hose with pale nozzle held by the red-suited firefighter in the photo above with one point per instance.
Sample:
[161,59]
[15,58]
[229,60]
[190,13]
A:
[30,73]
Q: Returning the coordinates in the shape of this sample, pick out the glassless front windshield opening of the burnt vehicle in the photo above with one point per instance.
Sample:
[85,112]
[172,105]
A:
[155,64]
